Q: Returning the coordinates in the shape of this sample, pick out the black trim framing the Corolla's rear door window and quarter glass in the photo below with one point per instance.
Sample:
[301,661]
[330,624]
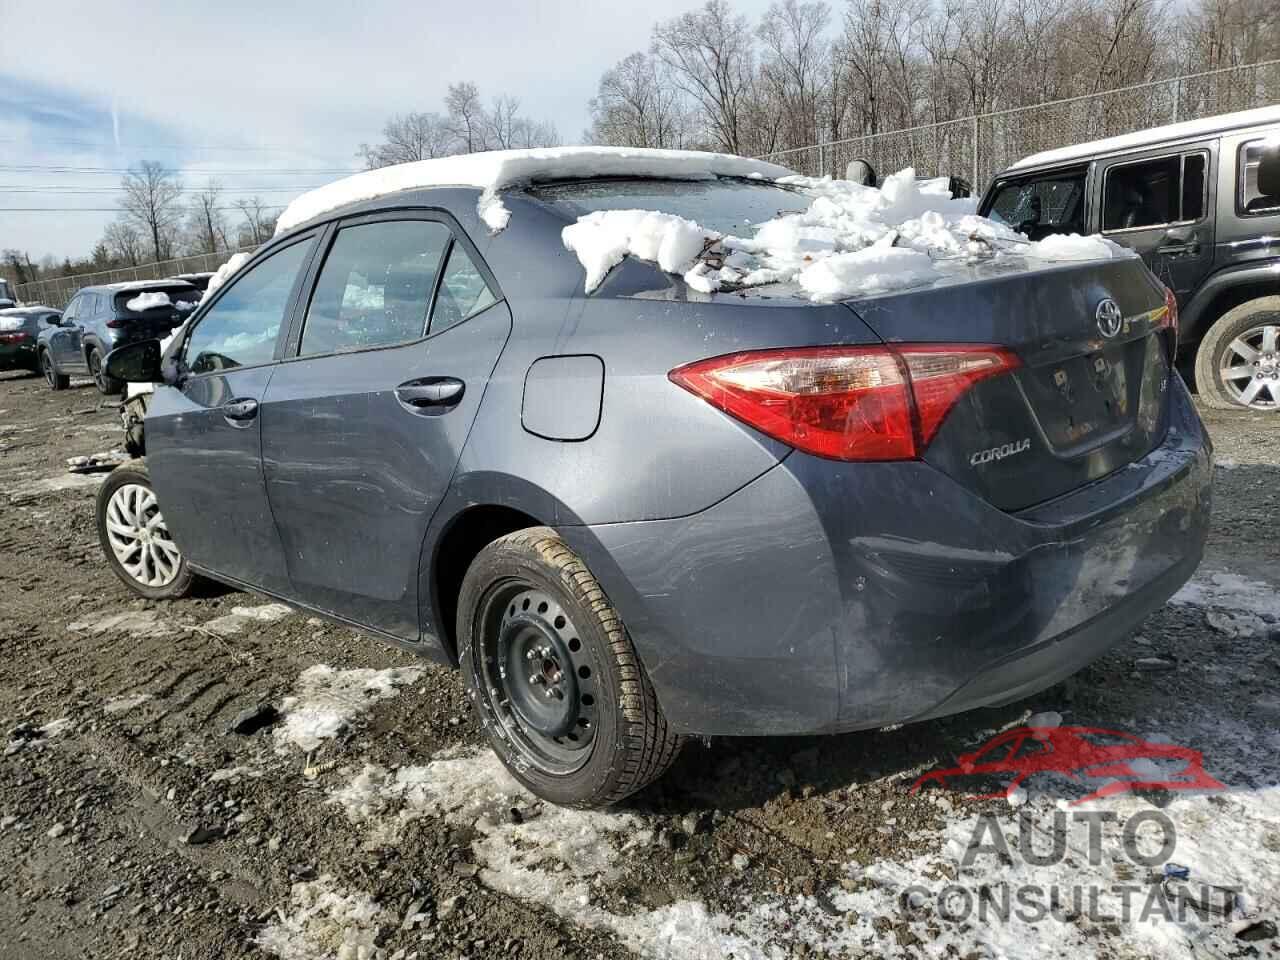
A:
[294,350]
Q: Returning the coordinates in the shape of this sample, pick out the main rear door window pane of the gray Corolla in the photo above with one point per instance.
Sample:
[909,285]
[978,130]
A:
[376,287]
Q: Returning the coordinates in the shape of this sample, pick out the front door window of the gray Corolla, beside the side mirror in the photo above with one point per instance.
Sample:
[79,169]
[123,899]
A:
[243,327]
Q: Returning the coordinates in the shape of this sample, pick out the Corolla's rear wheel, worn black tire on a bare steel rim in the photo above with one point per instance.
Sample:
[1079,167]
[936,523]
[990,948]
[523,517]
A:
[630,742]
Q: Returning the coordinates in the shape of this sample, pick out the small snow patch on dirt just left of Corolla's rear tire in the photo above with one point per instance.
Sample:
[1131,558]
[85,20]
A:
[328,700]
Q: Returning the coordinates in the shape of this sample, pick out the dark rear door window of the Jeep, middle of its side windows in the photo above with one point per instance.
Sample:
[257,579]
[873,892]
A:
[1158,193]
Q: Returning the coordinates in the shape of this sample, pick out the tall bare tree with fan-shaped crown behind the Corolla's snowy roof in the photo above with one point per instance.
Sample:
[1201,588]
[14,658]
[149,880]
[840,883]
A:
[710,53]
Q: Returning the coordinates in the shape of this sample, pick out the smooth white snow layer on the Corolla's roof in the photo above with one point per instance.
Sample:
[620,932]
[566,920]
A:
[500,170]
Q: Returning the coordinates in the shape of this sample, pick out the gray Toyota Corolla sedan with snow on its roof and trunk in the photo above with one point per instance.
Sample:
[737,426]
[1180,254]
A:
[646,511]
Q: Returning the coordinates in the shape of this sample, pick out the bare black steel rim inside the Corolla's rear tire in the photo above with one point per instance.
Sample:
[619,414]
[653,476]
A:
[538,678]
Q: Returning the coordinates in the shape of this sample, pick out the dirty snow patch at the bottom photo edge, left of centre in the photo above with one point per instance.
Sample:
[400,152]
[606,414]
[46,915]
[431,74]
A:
[324,924]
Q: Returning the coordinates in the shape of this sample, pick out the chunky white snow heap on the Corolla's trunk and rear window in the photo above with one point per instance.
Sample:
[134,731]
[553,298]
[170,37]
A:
[852,241]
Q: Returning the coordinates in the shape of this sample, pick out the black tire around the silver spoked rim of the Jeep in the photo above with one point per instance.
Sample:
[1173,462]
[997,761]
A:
[1218,349]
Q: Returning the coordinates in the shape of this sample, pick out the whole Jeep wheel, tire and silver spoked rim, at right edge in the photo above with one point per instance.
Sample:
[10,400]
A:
[1238,363]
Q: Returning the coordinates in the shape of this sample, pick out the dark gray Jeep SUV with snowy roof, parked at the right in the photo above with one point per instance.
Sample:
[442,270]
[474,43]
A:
[1201,203]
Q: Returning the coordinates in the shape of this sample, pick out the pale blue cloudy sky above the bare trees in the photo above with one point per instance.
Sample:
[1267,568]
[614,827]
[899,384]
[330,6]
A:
[269,98]
